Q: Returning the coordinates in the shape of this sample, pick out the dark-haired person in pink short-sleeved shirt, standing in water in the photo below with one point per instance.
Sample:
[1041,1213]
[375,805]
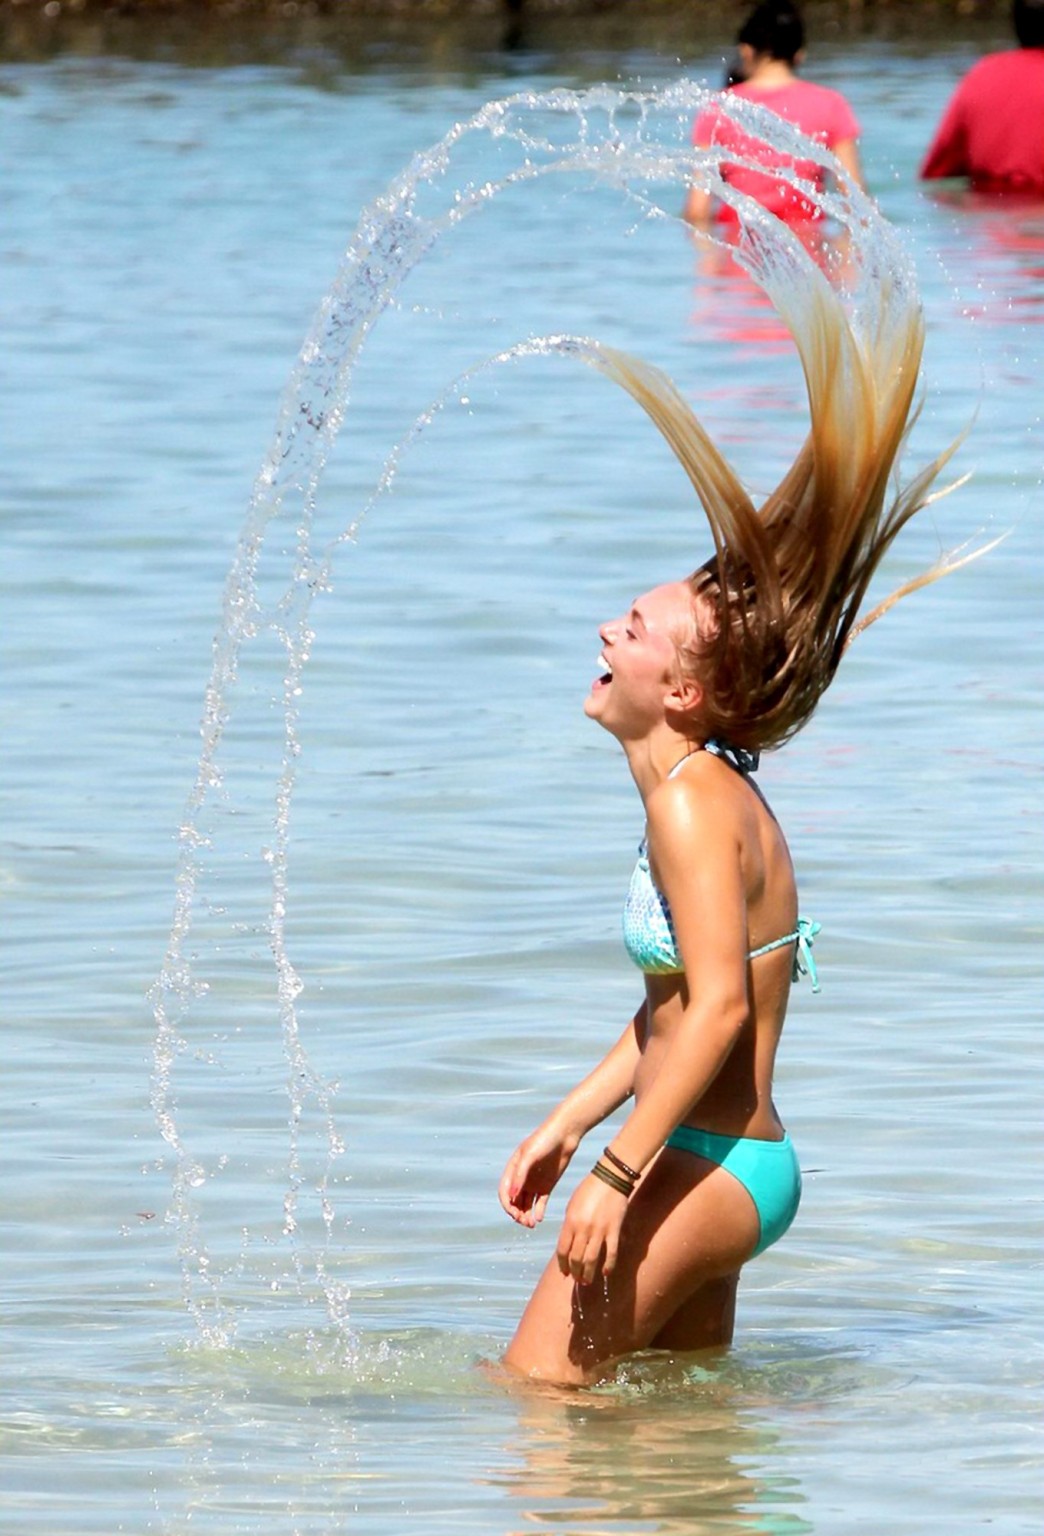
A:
[771,45]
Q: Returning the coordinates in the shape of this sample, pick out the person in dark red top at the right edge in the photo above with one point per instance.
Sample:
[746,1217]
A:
[994,128]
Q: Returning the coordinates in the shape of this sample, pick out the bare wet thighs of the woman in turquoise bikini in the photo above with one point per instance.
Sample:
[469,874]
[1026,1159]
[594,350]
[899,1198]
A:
[689,1228]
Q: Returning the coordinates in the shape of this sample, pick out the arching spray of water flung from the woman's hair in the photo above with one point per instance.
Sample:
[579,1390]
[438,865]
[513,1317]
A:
[635,144]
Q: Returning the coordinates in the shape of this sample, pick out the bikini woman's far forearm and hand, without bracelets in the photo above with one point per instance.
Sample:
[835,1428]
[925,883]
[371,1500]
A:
[540,1162]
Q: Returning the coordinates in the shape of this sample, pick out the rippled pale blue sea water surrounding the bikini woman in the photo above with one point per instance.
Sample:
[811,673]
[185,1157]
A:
[460,844]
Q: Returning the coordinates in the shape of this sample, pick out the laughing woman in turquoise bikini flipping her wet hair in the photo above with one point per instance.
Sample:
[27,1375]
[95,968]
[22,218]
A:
[696,680]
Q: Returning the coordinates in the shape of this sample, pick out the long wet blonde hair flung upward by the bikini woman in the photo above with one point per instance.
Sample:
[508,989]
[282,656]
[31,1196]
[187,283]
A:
[787,583]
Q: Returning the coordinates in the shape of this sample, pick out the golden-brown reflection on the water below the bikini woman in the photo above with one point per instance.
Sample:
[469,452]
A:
[672,1451]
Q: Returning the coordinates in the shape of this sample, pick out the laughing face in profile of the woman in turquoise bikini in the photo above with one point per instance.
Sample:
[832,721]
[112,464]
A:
[639,661]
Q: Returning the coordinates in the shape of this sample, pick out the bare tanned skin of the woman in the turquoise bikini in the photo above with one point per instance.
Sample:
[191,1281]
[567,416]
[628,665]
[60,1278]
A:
[661,1270]
